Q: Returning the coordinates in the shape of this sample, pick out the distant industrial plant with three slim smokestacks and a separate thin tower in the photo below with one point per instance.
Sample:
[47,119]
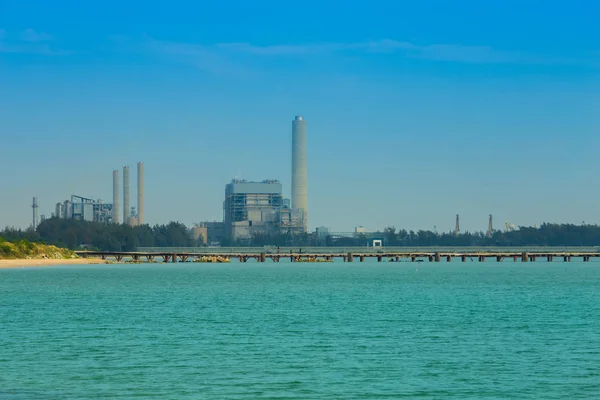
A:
[89,209]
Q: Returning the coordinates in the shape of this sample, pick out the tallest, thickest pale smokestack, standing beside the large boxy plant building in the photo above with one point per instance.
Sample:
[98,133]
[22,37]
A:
[299,170]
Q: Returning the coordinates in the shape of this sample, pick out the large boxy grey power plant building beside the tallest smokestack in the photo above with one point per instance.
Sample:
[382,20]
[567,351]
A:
[252,208]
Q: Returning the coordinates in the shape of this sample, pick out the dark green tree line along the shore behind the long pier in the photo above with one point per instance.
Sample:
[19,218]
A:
[74,234]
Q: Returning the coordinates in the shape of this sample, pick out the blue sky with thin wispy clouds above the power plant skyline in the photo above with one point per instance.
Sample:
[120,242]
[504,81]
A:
[416,110]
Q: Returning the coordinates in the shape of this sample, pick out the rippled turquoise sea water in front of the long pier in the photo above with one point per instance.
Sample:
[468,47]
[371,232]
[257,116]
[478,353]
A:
[301,331]
